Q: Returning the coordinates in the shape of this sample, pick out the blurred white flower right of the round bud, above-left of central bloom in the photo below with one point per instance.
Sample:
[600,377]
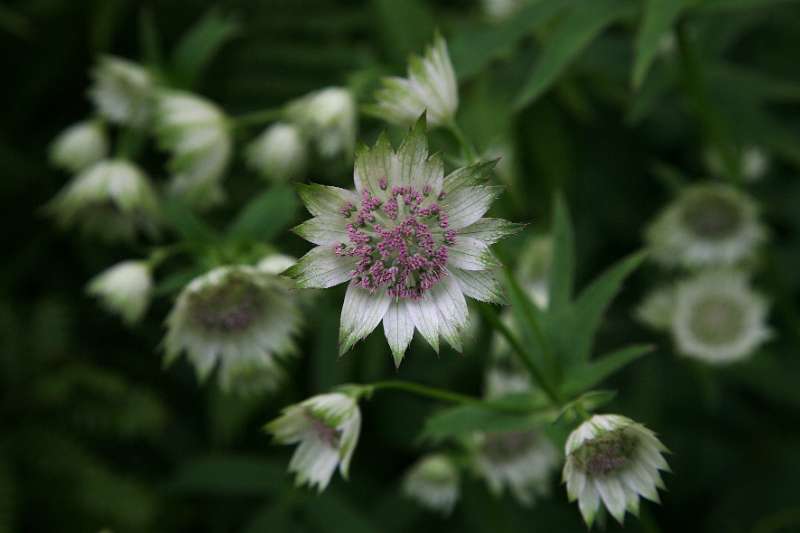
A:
[328,118]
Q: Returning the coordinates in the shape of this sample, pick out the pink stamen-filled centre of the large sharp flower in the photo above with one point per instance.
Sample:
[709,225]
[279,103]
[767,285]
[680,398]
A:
[401,240]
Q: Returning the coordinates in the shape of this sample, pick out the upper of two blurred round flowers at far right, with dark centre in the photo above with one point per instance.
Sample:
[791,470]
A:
[707,225]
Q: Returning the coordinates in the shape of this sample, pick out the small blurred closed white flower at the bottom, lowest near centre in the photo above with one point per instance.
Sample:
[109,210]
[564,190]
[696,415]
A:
[433,482]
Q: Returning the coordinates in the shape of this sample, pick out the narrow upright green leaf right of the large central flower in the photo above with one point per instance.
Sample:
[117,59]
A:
[562,272]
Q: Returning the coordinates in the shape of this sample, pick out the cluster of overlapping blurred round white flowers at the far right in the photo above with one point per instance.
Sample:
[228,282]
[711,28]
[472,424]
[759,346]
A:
[712,233]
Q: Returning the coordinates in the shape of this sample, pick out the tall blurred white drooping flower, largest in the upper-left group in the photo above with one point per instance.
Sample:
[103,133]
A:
[198,135]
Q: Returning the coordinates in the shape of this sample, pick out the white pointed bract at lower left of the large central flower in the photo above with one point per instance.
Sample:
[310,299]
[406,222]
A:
[361,313]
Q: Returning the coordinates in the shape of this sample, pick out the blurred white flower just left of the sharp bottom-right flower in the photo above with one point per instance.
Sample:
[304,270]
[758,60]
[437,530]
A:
[523,461]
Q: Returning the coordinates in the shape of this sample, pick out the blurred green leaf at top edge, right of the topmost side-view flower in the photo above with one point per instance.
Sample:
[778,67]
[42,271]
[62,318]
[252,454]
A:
[474,48]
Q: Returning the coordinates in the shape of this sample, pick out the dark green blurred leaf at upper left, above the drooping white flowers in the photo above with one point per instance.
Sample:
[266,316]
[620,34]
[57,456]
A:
[200,44]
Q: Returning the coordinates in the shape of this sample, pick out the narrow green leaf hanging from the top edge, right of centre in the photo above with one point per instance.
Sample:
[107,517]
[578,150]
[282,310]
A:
[659,16]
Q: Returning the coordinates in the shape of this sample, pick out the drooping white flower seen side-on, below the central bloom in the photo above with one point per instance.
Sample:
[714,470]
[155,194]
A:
[326,427]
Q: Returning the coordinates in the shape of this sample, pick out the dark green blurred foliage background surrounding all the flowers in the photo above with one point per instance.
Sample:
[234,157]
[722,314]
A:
[595,104]
